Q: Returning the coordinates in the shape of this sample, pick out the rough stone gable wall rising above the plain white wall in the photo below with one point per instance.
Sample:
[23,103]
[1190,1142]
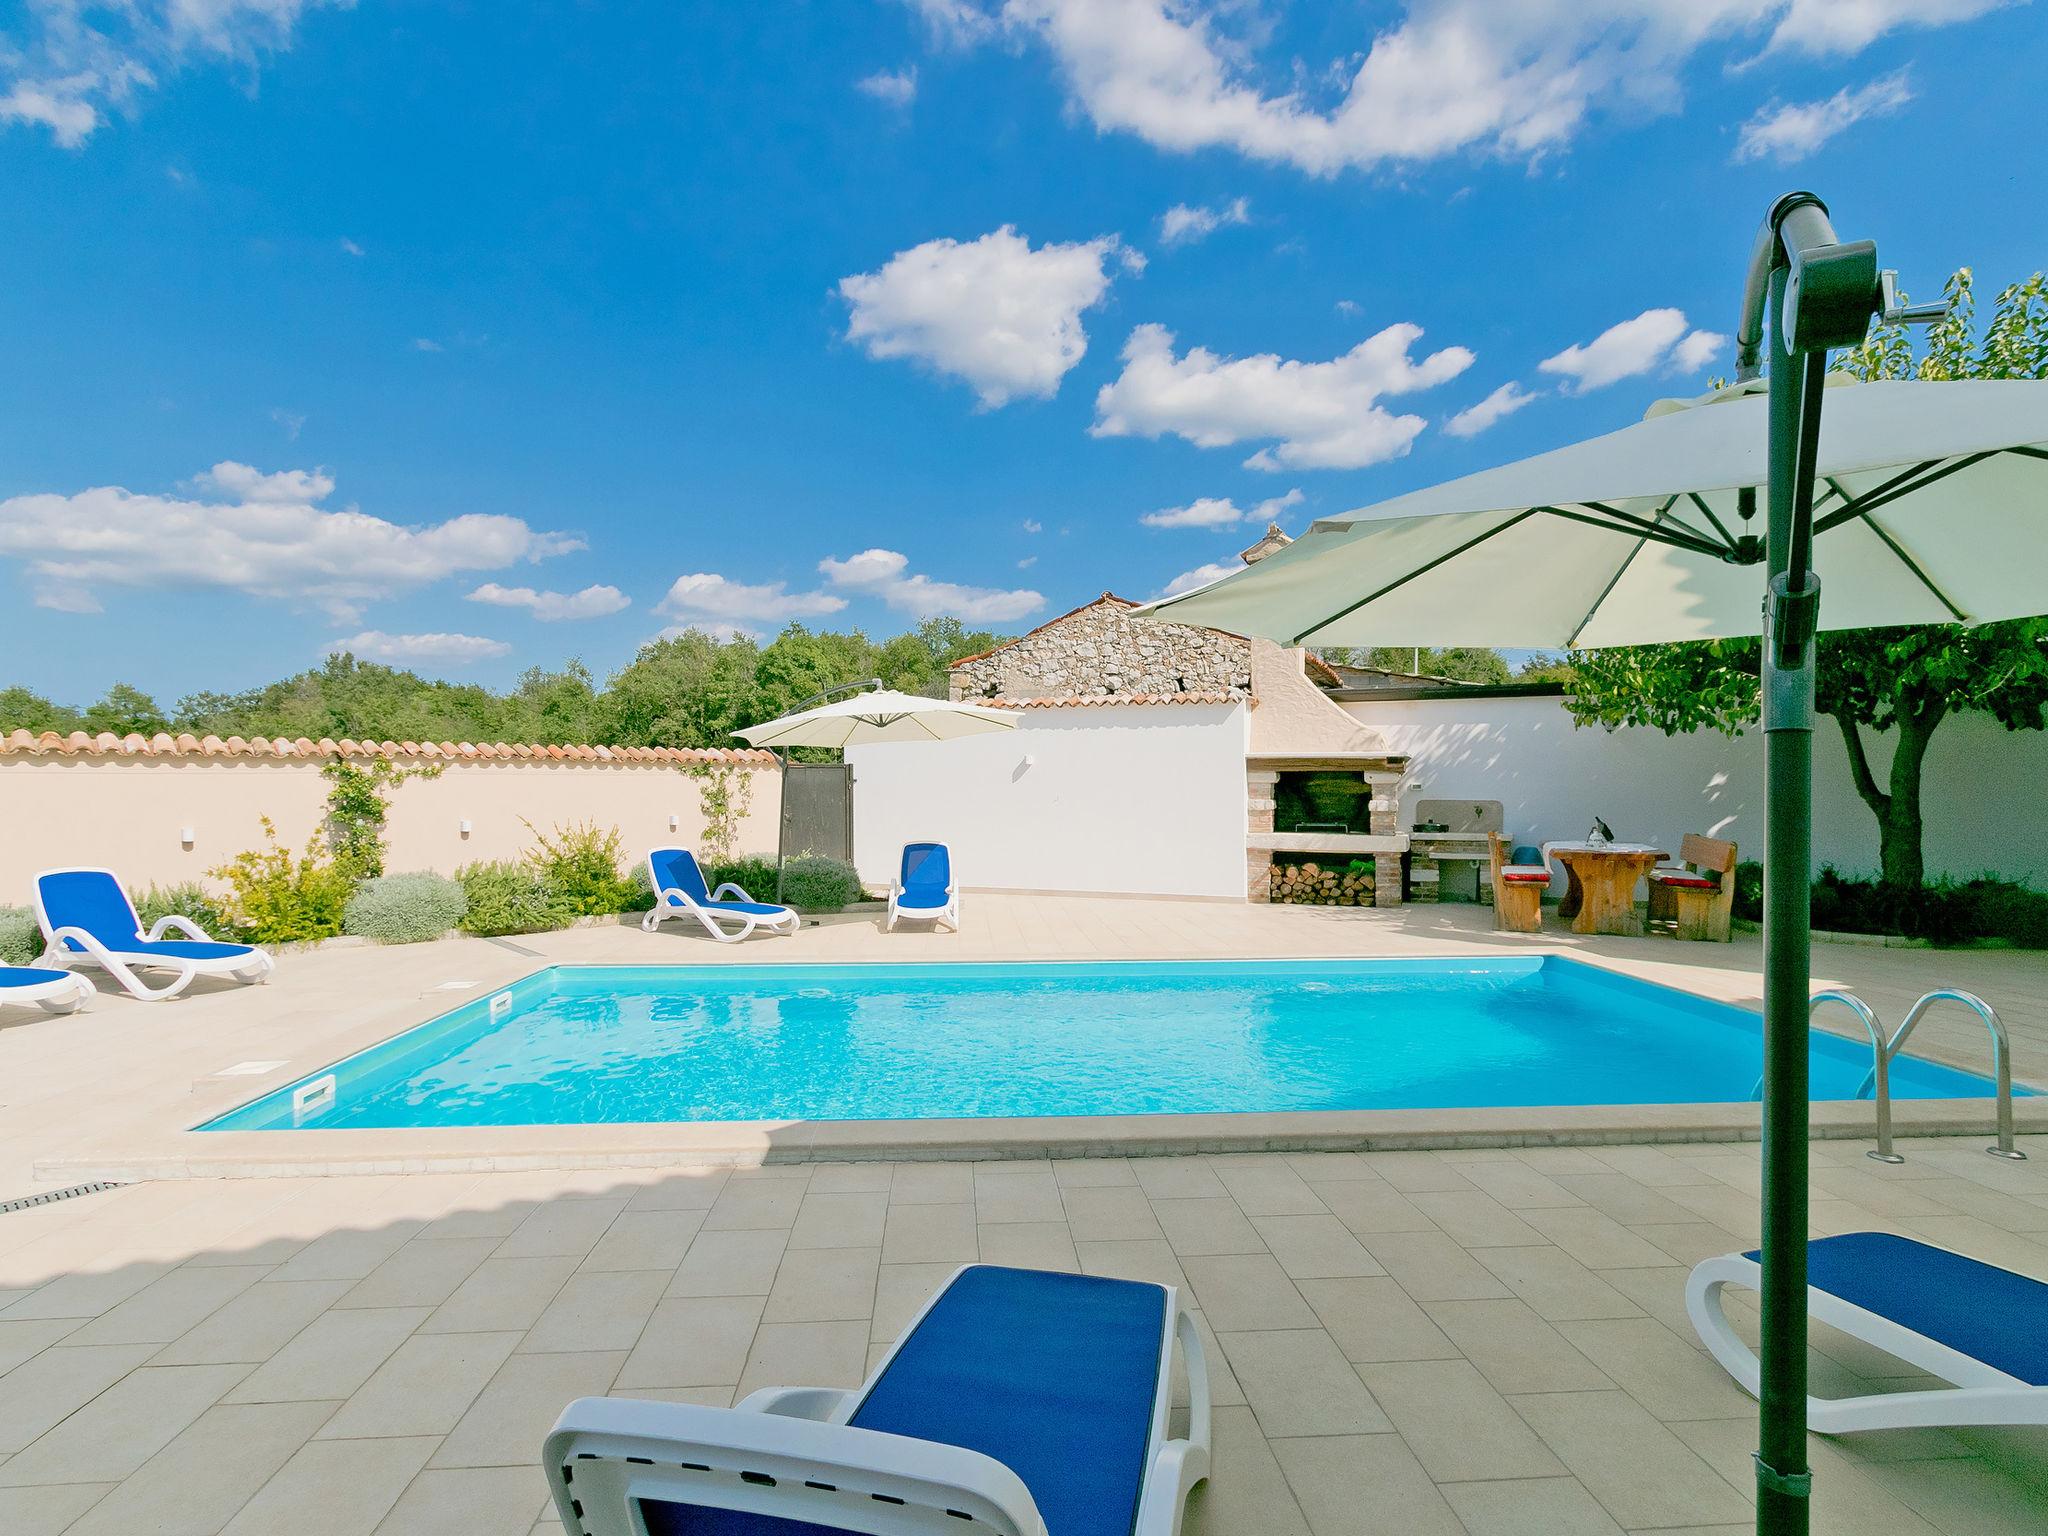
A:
[1101,650]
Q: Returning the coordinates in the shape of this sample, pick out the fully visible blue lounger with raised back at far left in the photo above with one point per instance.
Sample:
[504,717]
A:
[87,916]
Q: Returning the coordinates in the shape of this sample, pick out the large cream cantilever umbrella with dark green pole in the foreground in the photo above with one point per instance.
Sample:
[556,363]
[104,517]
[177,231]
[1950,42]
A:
[1928,503]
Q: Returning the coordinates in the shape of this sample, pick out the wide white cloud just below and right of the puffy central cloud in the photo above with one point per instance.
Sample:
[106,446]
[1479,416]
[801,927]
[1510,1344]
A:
[1326,415]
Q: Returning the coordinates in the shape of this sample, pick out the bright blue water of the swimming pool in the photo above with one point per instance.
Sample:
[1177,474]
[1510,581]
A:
[607,1046]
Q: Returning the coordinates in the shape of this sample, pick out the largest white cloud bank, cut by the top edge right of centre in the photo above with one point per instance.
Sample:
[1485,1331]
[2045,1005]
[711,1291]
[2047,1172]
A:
[1512,79]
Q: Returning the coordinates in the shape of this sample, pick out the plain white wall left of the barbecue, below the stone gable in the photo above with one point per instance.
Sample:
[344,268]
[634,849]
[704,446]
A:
[1115,798]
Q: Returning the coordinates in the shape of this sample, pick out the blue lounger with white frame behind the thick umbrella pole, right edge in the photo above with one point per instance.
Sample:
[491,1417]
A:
[1961,1320]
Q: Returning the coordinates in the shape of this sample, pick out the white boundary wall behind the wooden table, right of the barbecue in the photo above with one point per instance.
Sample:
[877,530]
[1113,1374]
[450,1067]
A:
[1986,790]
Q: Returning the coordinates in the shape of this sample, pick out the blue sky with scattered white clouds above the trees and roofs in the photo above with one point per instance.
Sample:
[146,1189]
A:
[490,335]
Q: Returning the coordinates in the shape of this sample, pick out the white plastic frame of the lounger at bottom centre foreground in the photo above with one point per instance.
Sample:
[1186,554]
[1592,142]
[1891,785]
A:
[787,1451]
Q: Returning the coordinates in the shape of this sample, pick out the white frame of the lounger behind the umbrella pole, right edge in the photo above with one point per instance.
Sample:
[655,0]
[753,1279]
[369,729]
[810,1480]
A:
[1979,1394]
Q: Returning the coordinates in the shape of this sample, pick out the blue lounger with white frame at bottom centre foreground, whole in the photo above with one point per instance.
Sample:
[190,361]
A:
[1019,1404]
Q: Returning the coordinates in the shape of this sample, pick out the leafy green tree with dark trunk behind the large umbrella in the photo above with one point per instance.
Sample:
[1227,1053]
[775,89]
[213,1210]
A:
[1904,681]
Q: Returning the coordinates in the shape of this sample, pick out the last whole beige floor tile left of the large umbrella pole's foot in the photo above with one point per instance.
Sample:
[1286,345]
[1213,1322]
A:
[1639,1471]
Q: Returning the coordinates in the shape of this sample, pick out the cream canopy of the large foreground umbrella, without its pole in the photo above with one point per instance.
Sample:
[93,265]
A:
[1930,507]
